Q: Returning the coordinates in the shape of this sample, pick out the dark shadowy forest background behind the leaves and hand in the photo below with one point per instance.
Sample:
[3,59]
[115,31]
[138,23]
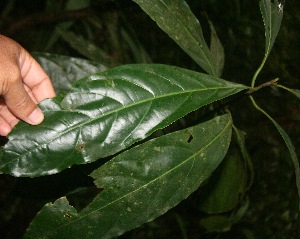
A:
[273,197]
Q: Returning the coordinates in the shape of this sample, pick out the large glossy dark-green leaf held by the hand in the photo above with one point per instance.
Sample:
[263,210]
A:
[106,113]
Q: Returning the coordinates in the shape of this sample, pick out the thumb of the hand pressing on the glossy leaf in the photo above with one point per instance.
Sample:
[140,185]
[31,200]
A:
[21,105]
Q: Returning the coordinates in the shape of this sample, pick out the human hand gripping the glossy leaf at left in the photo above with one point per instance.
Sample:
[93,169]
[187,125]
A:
[23,83]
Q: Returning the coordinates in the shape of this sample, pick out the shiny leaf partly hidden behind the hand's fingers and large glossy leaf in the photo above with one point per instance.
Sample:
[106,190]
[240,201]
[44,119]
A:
[64,70]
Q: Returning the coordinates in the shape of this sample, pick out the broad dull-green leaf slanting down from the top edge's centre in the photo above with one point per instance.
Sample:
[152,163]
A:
[177,20]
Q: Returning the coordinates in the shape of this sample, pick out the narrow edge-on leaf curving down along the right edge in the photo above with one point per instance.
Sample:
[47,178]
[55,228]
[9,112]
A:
[289,145]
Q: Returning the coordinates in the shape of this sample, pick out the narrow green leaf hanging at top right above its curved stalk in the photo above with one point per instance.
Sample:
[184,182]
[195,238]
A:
[272,13]
